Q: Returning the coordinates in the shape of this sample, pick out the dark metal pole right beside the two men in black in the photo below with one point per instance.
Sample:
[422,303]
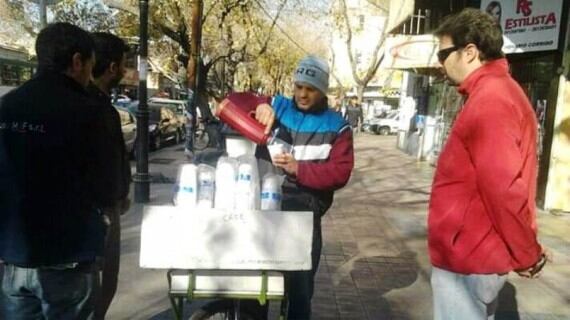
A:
[142,178]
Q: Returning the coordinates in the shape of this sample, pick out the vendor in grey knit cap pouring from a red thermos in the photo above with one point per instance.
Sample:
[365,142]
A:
[321,162]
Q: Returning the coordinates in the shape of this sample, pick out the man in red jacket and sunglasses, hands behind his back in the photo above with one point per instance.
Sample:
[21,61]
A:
[482,222]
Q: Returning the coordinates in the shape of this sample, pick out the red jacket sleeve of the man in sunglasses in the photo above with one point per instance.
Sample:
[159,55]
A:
[504,157]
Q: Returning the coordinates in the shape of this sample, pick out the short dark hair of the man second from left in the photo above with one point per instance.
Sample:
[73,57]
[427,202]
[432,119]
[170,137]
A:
[108,49]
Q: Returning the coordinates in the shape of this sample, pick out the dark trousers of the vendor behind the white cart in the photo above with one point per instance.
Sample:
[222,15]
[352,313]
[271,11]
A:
[300,284]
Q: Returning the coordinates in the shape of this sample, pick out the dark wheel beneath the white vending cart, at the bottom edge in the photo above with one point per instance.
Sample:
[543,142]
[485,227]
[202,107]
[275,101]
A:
[226,310]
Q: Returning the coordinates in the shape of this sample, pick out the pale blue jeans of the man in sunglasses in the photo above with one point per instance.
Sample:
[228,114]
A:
[466,297]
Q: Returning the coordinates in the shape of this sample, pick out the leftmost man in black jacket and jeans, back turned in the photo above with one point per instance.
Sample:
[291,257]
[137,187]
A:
[50,154]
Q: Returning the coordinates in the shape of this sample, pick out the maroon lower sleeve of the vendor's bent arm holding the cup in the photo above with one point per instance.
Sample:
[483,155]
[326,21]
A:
[334,173]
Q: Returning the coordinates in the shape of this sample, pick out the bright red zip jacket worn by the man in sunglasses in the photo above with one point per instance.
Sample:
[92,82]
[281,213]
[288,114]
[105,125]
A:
[482,214]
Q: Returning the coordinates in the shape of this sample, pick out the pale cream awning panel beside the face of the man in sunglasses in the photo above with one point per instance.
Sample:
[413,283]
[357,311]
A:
[410,52]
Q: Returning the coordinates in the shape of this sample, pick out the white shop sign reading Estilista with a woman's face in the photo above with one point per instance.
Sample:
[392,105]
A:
[528,25]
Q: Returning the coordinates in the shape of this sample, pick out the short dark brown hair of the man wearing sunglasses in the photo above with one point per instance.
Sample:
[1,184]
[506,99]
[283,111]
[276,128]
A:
[476,27]
